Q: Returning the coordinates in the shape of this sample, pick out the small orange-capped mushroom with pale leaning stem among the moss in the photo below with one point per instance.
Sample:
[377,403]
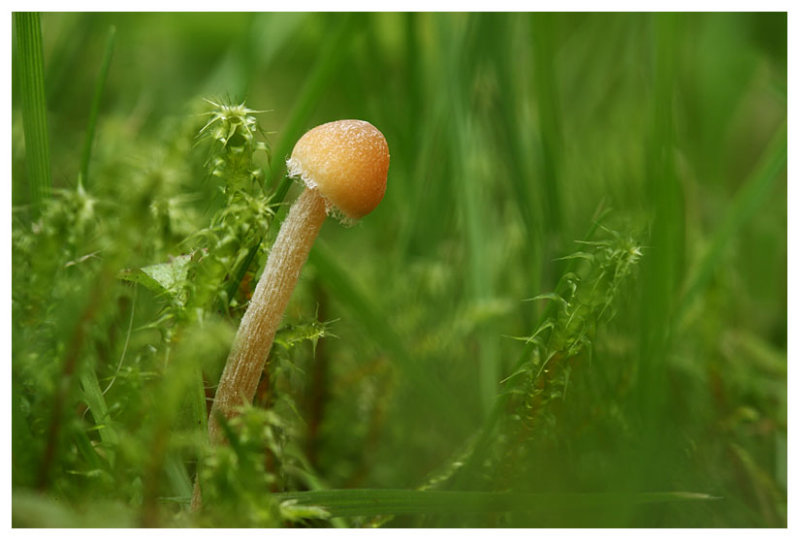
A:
[344,165]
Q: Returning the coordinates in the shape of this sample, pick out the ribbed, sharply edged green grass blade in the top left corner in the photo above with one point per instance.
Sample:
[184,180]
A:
[30,65]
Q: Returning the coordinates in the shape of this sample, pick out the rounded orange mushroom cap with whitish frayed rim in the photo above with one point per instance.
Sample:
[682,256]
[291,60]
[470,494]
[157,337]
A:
[347,161]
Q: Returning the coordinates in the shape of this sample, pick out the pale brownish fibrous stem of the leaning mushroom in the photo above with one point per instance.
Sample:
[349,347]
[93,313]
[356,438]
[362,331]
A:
[253,340]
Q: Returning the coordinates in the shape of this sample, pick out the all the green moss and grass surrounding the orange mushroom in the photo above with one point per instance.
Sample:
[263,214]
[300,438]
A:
[460,338]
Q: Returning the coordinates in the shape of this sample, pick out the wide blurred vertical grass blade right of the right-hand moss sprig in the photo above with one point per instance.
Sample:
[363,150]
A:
[662,270]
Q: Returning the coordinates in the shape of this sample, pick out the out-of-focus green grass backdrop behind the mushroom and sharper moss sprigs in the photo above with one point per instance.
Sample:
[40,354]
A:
[510,136]
